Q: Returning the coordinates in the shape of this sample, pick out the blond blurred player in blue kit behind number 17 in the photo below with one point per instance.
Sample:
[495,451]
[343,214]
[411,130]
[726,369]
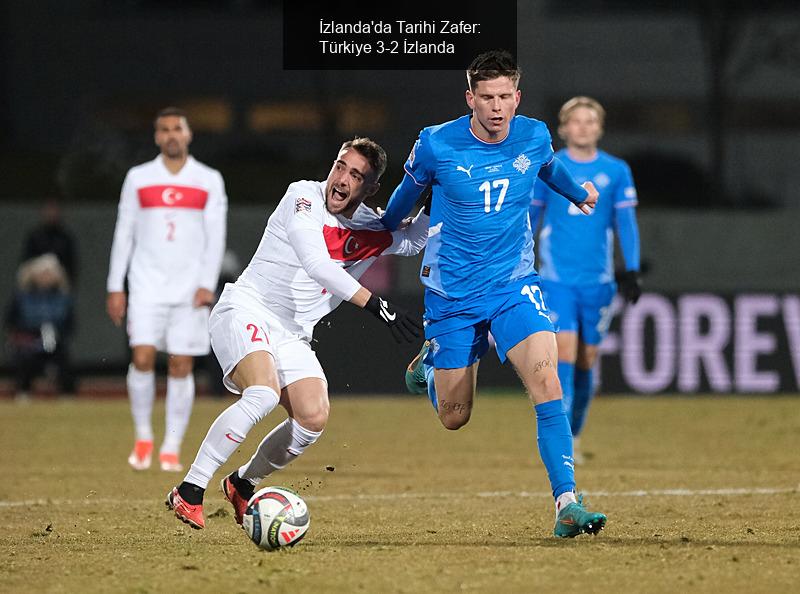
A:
[576,253]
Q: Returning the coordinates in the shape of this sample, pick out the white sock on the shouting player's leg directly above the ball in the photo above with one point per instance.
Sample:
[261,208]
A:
[283,444]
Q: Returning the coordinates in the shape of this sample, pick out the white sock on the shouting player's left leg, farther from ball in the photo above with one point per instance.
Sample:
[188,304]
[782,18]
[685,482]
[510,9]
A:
[229,430]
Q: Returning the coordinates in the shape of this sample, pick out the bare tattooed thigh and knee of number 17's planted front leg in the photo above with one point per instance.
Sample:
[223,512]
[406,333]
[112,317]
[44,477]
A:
[535,360]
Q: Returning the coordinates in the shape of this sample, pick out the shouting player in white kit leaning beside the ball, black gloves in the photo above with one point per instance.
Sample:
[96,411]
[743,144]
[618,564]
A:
[319,240]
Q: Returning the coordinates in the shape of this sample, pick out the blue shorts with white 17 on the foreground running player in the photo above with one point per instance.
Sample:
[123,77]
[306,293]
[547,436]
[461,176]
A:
[512,313]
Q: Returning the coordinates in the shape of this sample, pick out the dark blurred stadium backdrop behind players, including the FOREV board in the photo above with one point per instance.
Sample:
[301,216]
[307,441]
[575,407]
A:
[703,102]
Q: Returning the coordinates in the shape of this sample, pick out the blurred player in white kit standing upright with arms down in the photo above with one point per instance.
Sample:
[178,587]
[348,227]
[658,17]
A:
[169,240]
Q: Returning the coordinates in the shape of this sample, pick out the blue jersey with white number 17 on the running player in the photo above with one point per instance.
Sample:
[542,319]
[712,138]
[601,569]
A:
[479,237]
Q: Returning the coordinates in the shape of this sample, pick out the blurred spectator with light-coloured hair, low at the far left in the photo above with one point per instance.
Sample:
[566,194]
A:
[39,323]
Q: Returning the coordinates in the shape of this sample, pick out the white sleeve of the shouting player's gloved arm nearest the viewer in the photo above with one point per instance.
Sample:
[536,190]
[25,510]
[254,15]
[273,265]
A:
[304,231]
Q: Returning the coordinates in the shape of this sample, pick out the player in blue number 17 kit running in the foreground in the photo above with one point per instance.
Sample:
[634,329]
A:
[478,267]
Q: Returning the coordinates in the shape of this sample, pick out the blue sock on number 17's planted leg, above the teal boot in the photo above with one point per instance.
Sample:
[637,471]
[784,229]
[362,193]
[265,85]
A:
[555,446]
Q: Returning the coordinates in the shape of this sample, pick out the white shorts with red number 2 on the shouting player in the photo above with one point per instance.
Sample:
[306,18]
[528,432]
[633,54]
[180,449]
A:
[240,325]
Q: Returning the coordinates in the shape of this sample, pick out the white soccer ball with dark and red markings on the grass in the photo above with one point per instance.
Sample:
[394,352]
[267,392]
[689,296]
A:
[276,517]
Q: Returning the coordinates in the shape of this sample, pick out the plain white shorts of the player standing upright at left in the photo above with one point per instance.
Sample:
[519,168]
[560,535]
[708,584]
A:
[174,329]
